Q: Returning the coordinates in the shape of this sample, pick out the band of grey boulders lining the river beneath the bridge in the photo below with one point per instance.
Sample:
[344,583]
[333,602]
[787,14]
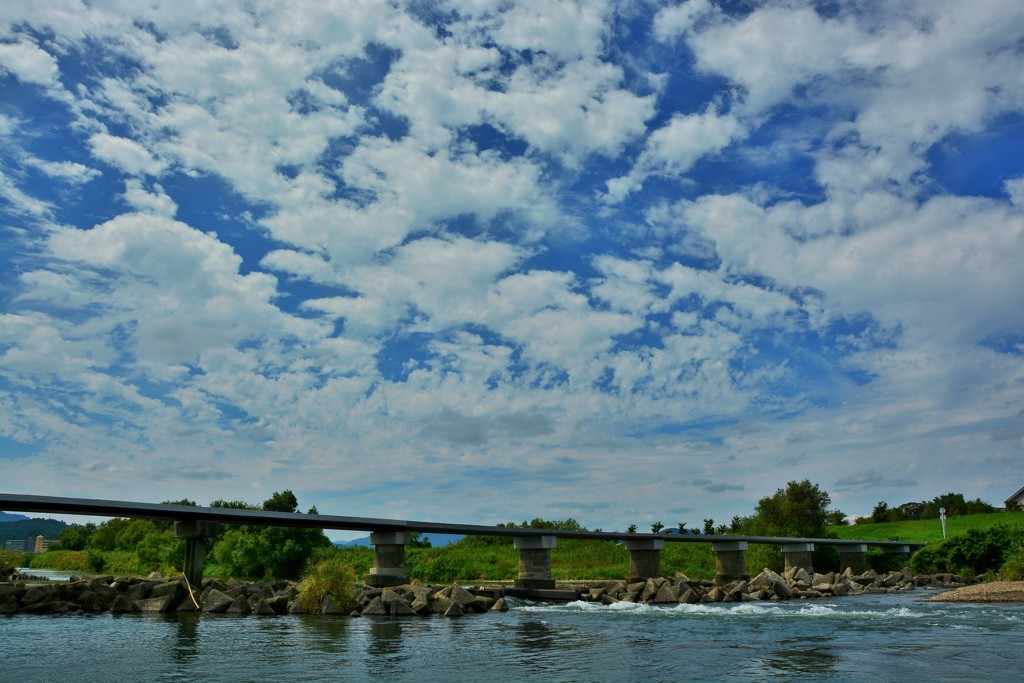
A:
[155,594]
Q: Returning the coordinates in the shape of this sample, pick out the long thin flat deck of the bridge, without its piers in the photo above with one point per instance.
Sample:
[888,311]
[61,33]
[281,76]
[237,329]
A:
[185,514]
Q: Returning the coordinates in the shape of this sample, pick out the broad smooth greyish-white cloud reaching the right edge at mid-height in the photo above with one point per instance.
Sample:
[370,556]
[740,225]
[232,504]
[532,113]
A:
[945,259]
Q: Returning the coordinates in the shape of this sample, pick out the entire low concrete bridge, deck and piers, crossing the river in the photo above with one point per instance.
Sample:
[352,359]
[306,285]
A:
[390,538]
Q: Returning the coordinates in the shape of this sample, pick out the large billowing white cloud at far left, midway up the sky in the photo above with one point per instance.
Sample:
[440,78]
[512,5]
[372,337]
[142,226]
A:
[180,289]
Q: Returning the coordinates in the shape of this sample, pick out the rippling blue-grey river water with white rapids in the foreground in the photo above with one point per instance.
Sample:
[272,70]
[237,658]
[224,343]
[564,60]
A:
[863,638]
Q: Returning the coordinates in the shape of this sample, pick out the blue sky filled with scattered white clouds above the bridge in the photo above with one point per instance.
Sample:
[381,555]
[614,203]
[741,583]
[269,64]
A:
[484,262]
